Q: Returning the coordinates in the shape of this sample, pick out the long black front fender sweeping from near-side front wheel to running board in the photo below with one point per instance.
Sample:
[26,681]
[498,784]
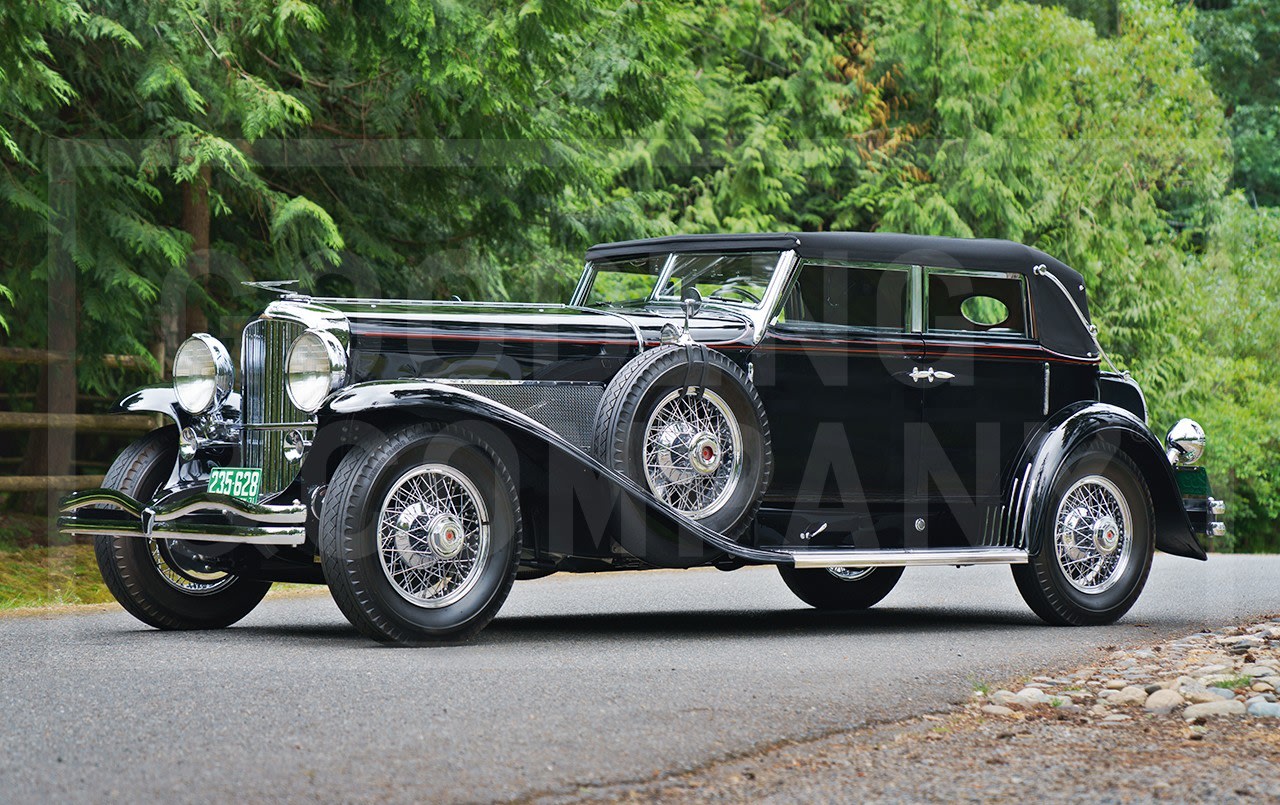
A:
[568,486]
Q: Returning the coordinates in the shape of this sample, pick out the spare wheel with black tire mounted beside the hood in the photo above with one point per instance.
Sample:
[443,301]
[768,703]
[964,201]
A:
[688,426]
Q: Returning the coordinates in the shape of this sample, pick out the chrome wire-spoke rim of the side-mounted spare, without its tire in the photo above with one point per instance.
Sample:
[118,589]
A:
[693,449]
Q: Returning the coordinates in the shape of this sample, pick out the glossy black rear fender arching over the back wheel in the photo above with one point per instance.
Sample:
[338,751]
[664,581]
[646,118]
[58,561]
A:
[1028,497]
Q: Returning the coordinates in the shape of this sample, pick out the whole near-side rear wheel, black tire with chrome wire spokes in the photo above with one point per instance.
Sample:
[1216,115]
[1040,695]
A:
[1076,577]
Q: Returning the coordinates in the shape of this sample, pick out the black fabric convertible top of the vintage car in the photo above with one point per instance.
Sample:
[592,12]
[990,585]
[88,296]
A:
[1058,326]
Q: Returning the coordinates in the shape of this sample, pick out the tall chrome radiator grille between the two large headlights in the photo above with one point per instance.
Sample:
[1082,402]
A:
[267,409]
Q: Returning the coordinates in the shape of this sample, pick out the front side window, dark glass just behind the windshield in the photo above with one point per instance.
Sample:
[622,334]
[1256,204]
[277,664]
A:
[849,298]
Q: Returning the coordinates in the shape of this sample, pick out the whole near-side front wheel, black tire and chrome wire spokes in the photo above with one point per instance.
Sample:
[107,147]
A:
[420,537]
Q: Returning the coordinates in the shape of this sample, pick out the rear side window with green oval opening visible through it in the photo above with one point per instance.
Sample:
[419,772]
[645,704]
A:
[961,303]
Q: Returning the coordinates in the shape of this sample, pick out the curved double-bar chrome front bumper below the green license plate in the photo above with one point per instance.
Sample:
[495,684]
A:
[120,515]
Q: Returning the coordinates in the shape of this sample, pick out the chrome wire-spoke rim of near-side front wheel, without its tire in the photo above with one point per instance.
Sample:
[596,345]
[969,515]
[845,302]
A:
[433,536]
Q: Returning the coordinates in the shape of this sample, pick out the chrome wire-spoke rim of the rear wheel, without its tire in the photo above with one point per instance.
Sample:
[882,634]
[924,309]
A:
[1094,534]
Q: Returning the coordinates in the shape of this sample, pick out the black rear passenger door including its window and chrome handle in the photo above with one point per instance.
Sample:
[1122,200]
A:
[985,385]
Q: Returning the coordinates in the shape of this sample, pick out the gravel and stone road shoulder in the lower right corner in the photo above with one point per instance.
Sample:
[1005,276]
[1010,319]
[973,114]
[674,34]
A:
[1150,722]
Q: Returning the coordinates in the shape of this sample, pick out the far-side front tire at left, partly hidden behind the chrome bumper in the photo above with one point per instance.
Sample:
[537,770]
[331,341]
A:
[145,577]
